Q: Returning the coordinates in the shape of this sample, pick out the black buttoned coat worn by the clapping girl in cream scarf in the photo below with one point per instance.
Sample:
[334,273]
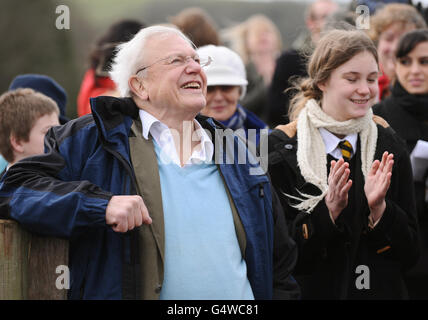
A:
[329,253]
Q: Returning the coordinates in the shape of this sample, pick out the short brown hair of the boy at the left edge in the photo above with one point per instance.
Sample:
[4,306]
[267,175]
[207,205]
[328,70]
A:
[19,111]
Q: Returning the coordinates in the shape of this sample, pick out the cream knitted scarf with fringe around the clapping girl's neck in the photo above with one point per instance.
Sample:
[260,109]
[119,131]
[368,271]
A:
[311,155]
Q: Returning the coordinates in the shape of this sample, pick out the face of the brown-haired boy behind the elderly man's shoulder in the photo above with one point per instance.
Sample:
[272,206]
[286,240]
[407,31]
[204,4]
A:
[35,143]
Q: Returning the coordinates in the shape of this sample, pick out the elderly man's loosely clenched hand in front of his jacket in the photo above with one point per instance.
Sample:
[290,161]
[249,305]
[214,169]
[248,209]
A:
[125,213]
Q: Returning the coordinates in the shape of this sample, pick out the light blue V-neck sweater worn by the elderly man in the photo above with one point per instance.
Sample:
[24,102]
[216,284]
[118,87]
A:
[203,259]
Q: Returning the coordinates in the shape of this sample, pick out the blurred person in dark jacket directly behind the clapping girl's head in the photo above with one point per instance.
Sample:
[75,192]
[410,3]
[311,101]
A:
[292,63]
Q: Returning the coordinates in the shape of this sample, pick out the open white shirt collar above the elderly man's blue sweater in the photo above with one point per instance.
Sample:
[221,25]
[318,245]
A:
[164,139]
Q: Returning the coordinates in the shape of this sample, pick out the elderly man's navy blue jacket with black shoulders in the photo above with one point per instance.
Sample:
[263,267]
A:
[65,192]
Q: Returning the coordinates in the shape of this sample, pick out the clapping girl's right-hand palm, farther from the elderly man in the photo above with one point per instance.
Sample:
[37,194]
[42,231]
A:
[377,184]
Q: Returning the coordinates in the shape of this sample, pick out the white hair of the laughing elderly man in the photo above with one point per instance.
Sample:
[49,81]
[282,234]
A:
[129,55]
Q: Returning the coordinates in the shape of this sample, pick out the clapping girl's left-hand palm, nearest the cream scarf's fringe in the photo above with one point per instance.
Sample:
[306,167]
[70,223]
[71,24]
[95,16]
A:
[338,186]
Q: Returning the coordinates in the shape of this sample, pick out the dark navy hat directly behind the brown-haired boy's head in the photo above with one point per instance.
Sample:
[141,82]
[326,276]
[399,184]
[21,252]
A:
[46,85]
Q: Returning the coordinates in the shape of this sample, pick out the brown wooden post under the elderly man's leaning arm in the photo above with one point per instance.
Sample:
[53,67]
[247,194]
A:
[28,264]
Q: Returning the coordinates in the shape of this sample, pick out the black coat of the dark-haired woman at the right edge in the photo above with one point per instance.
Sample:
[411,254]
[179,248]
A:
[408,116]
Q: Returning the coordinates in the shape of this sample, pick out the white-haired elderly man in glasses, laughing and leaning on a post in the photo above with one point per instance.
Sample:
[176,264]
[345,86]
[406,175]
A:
[151,210]
